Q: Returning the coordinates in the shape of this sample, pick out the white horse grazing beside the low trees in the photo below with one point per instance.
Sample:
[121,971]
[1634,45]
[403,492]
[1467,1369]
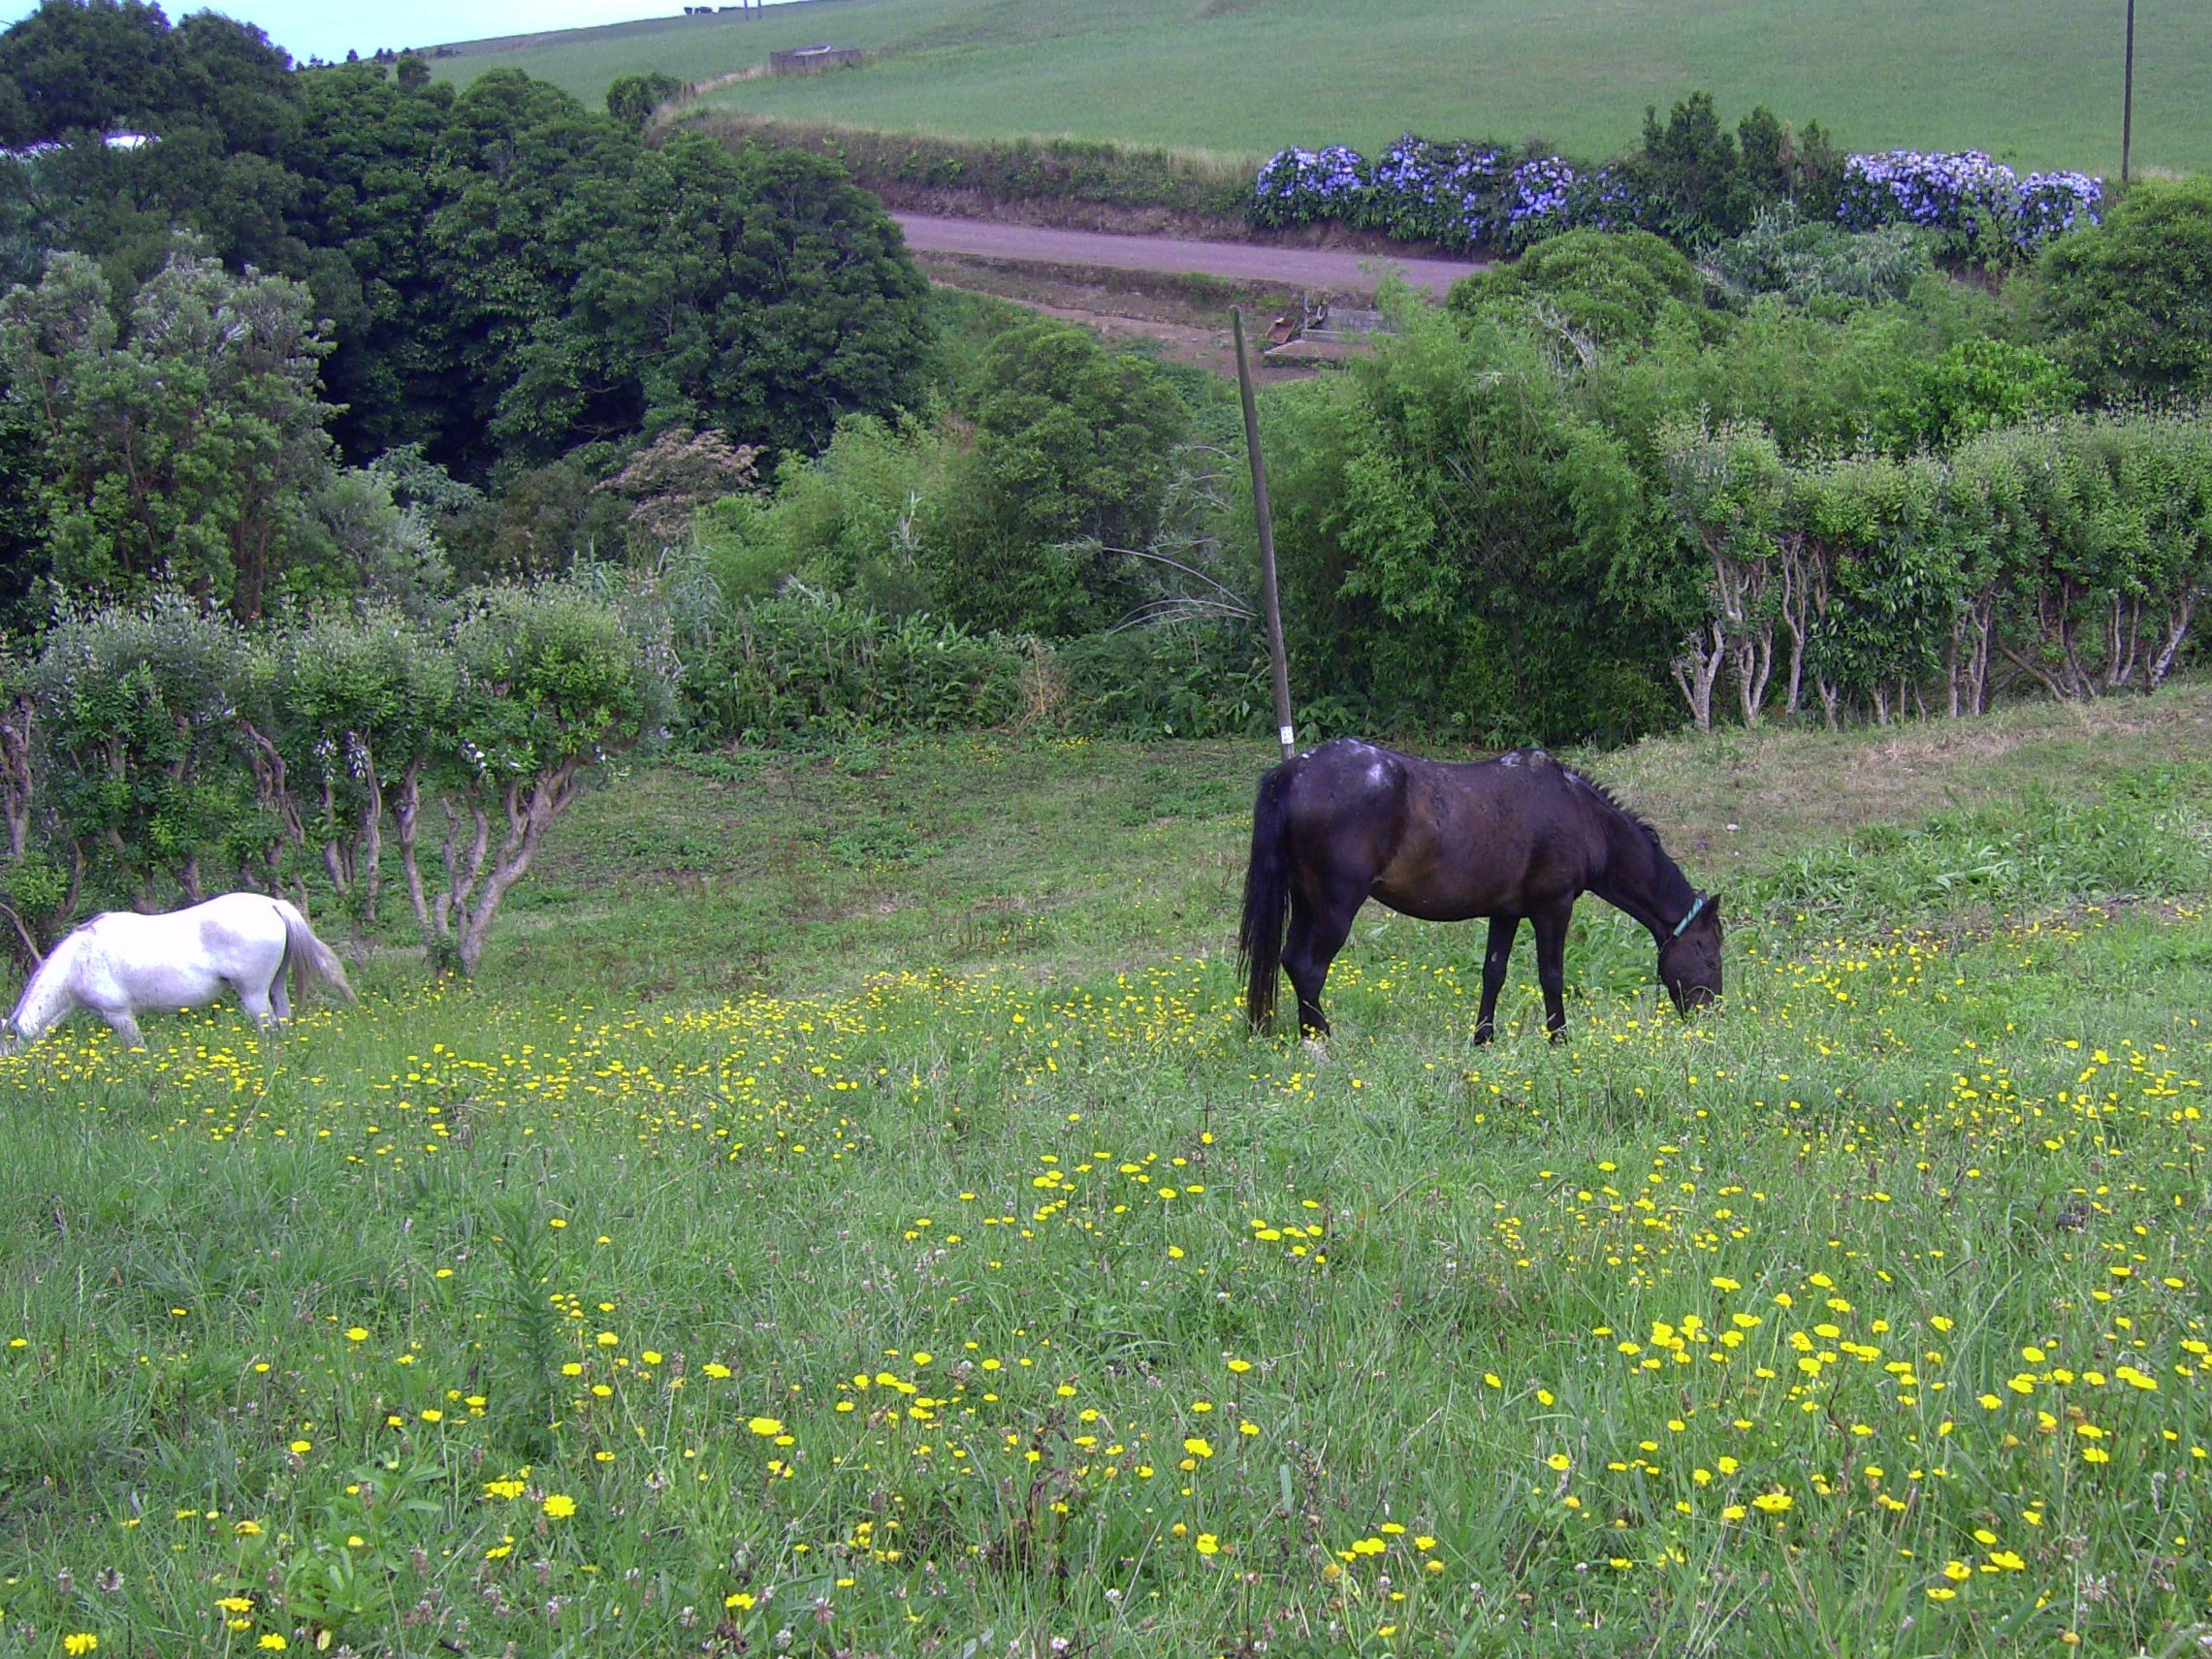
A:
[121,963]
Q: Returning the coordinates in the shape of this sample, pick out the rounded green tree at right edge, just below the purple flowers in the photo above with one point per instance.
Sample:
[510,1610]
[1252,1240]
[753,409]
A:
[2129,302]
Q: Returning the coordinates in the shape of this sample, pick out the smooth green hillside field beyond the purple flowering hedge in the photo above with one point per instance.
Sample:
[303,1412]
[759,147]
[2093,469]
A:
[2036,85]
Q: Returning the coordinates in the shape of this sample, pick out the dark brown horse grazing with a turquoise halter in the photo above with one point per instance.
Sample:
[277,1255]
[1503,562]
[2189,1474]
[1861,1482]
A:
[1510,839]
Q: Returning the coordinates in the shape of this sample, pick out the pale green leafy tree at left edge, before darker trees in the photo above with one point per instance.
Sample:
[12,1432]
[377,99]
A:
[182,450]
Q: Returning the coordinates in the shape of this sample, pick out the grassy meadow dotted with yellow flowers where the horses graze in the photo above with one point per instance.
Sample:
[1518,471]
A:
[972,1280]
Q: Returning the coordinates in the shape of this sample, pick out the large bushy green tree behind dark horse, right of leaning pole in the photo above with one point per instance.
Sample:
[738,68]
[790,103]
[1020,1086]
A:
[1468,550]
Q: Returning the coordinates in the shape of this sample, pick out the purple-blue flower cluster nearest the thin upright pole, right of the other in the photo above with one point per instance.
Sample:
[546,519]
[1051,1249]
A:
[1968,196]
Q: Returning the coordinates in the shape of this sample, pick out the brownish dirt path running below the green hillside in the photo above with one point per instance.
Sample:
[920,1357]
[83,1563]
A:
[1249,262]
